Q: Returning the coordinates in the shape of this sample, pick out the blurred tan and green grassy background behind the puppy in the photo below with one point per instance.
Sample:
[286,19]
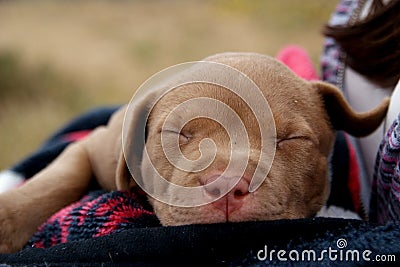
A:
[60,58]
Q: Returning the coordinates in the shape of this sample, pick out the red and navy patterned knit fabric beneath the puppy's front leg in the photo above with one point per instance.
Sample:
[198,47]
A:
[97,214]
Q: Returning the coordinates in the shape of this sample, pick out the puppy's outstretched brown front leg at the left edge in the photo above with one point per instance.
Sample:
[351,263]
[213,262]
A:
[24,209]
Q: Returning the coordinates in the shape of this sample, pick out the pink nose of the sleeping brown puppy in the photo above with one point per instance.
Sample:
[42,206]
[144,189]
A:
[231,201]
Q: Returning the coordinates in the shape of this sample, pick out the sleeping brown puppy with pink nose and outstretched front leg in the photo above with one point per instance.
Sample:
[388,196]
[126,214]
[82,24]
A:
[296,185]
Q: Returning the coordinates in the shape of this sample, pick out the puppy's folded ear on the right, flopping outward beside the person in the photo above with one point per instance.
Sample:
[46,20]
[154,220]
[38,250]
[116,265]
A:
[343,117]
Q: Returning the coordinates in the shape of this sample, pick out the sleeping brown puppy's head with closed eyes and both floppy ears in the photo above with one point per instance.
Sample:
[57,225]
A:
[296,185]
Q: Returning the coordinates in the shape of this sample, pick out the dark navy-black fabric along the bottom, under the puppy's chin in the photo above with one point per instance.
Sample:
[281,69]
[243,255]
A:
[234,244]
